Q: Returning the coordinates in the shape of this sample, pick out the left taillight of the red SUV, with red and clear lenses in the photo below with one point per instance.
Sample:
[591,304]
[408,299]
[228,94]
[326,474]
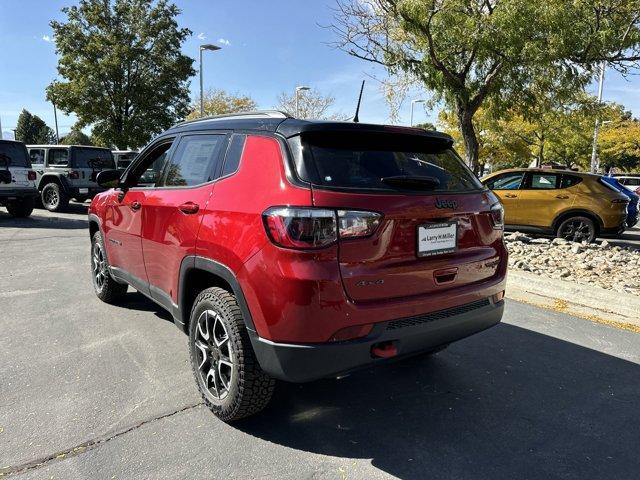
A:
[303,228]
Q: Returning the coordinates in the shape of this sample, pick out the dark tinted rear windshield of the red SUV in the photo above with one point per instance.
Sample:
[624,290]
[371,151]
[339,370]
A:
[385,162]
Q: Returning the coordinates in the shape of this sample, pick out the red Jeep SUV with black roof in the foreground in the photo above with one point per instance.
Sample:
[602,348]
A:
[297,250]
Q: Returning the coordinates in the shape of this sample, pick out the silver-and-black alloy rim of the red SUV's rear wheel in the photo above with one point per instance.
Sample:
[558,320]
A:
[214,354]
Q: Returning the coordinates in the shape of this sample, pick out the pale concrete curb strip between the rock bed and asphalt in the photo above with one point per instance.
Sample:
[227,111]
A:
[593,303]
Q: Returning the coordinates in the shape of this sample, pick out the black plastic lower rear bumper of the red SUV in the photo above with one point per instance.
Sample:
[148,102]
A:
[303,363]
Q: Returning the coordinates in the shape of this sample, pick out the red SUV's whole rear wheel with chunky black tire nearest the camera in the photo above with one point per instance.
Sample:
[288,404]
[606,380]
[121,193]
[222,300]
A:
[227,373]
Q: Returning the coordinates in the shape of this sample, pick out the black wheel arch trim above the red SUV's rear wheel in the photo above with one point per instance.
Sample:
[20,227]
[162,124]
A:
[194,262]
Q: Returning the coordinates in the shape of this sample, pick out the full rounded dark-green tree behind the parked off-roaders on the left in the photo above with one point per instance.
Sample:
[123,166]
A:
[123,71]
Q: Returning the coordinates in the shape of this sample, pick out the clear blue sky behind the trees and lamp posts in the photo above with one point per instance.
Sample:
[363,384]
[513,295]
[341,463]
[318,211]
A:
[268,47]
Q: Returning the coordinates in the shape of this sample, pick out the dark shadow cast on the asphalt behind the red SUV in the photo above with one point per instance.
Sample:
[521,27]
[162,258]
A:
[508,403]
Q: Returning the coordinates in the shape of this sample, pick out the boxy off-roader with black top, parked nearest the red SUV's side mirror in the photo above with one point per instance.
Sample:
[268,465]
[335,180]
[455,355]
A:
[68,171]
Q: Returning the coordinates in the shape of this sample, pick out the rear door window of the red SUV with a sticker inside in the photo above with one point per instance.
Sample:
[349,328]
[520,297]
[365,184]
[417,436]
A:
[195,160]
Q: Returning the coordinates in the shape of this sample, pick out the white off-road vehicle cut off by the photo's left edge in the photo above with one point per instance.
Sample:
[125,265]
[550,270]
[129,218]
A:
[17,179]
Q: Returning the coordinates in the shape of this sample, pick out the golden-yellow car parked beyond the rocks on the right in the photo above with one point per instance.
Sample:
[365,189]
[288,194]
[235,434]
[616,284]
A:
[571,205]
